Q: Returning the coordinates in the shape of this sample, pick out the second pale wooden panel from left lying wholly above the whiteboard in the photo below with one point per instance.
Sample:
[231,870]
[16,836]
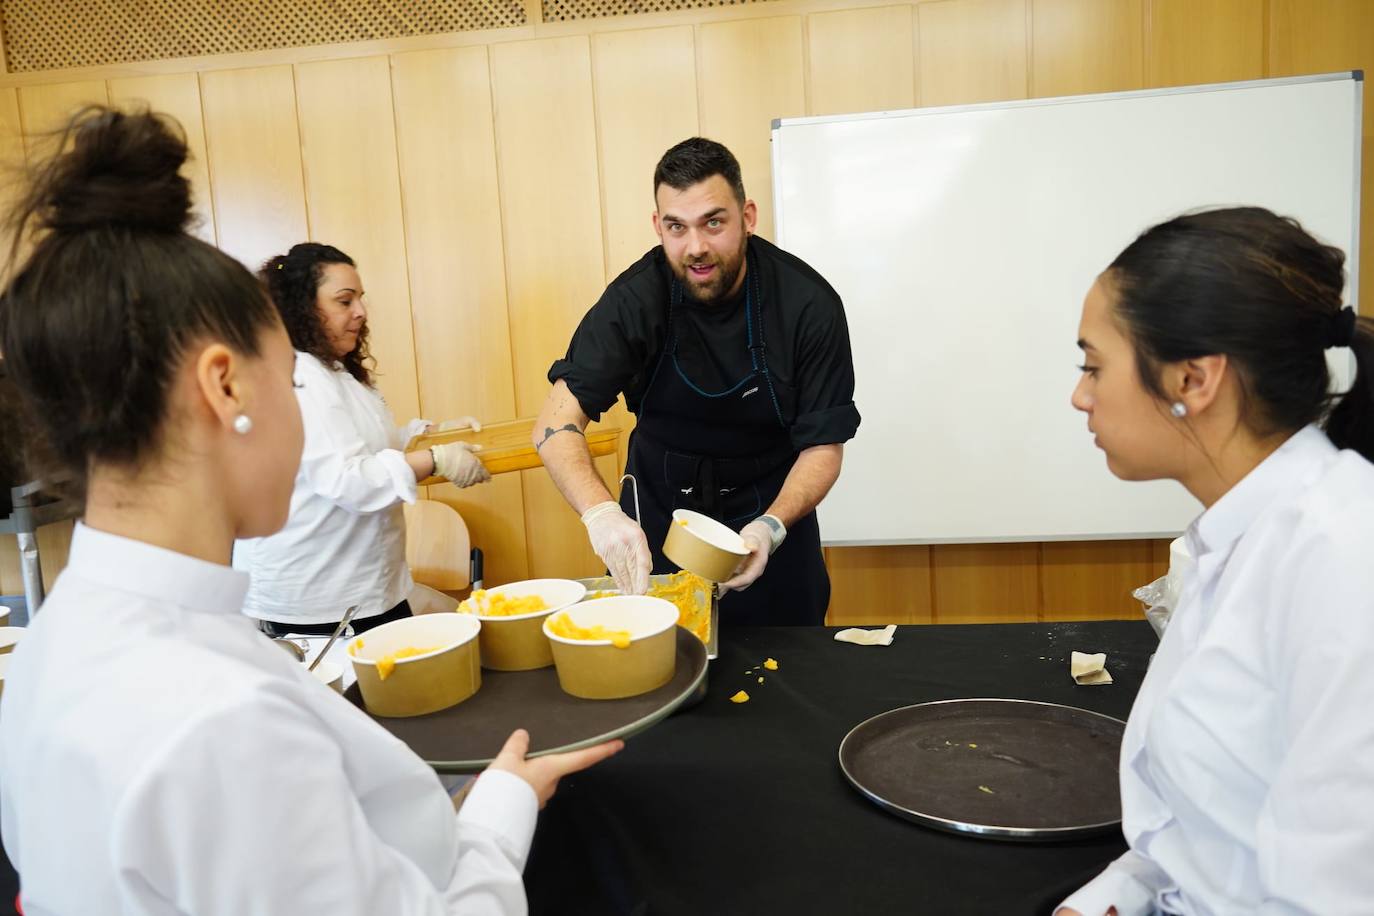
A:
[972,51]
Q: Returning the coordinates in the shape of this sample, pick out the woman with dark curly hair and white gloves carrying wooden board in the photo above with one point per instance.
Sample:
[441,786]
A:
[344,542]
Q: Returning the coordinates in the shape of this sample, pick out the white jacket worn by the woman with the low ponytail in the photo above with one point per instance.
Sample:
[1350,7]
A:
[1248,762]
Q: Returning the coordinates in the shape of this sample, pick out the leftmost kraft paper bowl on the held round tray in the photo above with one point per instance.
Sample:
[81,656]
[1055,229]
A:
[420,685]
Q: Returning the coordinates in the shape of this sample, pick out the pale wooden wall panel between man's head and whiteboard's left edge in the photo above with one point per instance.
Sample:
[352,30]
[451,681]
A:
[750,73]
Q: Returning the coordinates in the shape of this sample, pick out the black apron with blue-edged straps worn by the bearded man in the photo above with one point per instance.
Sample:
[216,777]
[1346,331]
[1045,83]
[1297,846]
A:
[726,455]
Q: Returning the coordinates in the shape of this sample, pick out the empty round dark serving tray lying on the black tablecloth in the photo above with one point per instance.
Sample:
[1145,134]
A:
[997,768]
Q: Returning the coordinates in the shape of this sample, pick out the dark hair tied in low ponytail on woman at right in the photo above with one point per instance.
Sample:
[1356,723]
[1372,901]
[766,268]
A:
[1259,289]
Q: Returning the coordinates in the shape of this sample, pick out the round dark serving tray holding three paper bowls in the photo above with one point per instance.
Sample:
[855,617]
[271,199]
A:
[465,738]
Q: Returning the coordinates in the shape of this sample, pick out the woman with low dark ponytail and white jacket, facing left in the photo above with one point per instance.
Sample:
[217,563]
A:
[1248,762]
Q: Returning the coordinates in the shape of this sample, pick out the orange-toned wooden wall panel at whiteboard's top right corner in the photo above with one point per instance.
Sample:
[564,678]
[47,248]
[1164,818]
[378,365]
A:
[1325,36]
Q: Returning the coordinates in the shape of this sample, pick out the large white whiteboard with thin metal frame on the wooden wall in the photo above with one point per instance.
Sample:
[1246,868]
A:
[962,242]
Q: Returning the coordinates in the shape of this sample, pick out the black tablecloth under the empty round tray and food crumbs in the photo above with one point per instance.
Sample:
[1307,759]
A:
[743,808]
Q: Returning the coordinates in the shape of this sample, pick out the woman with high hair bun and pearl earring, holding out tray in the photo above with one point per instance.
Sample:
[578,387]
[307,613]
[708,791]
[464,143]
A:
[157,753]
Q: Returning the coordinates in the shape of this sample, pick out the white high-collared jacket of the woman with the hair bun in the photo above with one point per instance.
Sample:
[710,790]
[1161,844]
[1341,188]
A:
[160,756]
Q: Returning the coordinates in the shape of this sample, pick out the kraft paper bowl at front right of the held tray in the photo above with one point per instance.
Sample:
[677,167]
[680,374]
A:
[596,669]
